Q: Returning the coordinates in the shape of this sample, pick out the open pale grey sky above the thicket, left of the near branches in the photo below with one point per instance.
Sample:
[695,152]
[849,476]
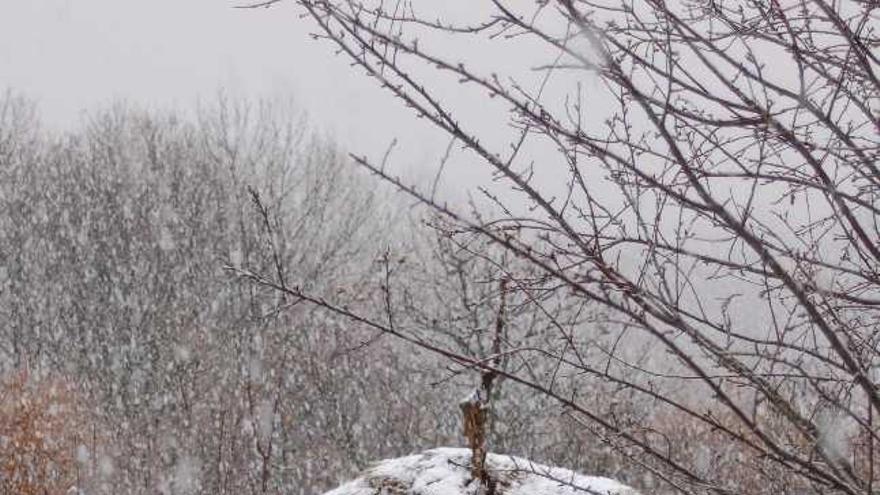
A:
[75,55]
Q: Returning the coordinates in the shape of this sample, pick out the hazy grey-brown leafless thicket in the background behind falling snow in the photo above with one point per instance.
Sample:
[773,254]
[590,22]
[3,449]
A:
[127,337]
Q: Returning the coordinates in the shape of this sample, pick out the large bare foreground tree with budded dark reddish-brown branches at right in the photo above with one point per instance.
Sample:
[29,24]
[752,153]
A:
[718,198]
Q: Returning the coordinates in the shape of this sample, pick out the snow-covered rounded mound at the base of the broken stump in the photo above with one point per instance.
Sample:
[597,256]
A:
[446,471]
